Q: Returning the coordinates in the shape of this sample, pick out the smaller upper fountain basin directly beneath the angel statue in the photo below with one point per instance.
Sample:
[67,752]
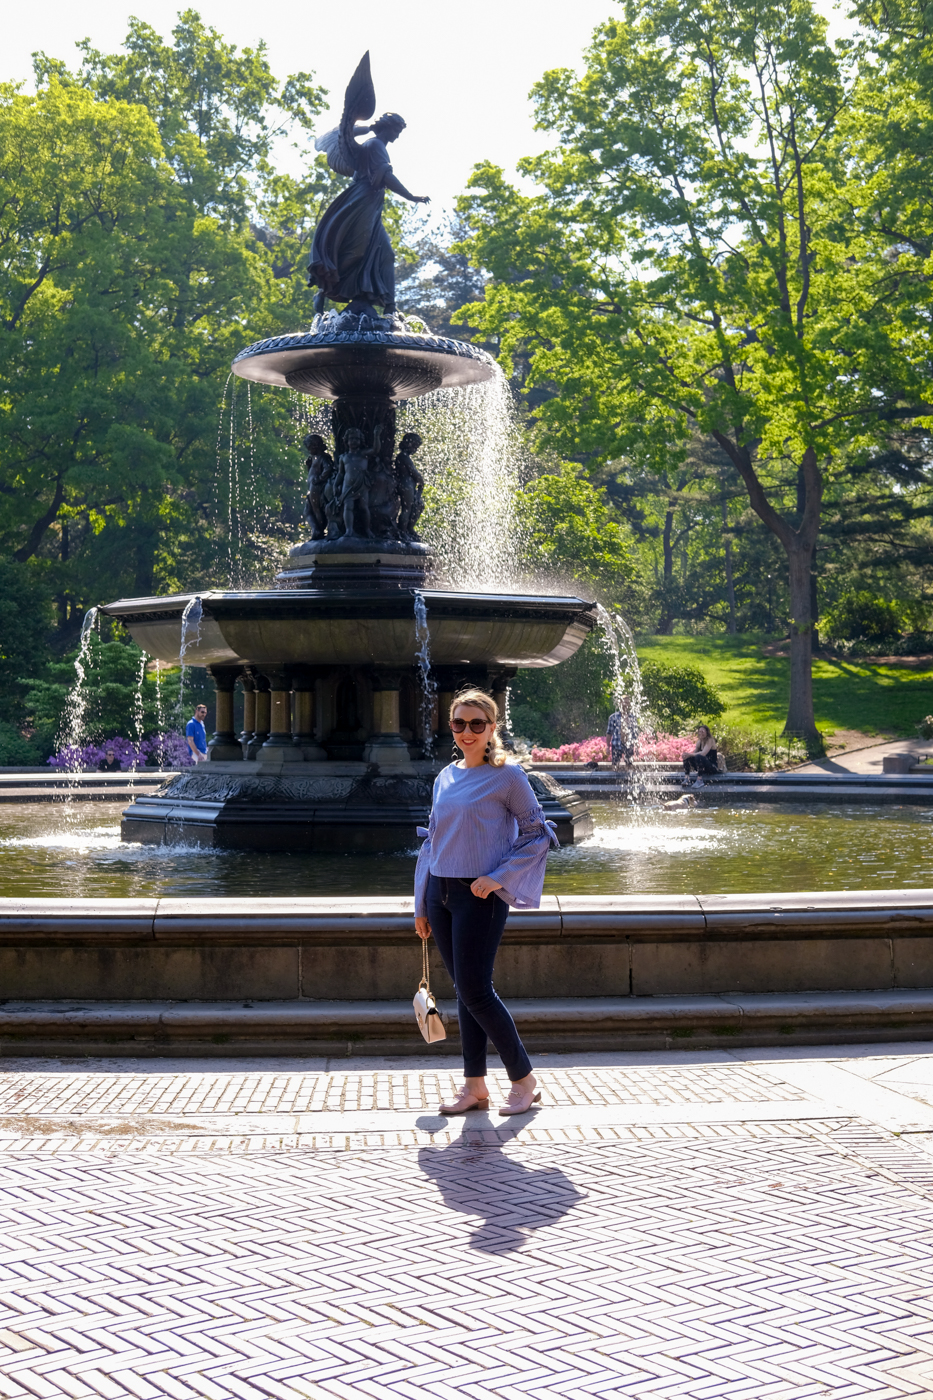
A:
[331,363]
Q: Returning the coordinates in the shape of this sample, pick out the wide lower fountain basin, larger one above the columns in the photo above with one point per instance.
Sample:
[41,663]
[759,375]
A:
[359,628]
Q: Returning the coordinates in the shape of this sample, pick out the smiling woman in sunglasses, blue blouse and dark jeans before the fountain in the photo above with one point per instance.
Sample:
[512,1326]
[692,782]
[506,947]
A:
[485,818]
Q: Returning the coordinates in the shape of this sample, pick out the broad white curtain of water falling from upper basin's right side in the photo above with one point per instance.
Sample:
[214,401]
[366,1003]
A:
[473,461]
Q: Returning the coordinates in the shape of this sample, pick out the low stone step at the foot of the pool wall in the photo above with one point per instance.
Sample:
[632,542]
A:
[380,1028]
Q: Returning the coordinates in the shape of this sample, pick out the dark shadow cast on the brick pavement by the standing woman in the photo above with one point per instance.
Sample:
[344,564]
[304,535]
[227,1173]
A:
[481,1179]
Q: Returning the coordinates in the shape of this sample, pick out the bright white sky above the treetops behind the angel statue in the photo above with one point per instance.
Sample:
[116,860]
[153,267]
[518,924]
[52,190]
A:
[460,75]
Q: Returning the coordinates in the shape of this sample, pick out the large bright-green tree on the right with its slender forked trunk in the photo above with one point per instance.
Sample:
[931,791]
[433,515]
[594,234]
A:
[701,260]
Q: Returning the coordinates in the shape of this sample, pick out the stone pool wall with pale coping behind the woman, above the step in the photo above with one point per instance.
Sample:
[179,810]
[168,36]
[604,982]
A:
[364,951]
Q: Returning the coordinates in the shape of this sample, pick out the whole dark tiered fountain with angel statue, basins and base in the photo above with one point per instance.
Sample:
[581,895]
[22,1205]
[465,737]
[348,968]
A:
[344,729]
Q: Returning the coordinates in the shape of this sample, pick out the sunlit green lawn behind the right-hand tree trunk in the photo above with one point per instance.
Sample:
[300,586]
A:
[848,695]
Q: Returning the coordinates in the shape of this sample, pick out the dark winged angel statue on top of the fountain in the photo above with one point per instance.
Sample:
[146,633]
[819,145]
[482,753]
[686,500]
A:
[352,257]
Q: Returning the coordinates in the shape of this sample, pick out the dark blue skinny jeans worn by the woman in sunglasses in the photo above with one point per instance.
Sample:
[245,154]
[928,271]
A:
[469,932]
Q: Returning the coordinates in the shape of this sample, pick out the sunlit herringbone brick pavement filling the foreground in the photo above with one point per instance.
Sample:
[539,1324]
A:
[768,1266]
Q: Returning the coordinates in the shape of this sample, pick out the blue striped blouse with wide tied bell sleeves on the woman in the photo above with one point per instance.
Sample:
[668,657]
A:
[487,821]
